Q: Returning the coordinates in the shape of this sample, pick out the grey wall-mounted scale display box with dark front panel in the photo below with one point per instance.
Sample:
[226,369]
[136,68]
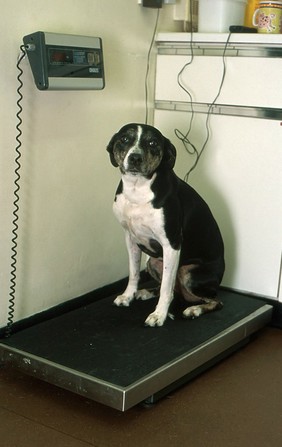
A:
[65,61]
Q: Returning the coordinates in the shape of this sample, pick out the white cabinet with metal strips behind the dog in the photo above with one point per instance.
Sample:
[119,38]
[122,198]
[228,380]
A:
[239,173]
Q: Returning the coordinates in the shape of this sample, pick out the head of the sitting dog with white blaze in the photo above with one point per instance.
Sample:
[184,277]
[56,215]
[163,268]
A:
[140,149]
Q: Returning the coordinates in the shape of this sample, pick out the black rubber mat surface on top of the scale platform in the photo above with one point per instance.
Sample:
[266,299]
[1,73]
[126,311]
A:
[112,343]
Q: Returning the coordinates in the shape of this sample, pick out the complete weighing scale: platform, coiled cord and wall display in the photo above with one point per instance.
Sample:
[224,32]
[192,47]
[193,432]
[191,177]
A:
[98,350]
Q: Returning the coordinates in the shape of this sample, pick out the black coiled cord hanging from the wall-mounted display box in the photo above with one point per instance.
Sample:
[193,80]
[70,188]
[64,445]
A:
[15,228]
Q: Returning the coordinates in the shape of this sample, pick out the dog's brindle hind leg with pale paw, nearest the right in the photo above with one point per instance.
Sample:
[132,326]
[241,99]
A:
[202,304]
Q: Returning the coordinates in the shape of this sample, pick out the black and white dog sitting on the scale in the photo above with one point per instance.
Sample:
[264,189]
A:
[165,218]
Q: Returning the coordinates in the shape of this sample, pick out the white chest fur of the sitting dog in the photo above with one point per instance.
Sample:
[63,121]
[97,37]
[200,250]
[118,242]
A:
[134,210]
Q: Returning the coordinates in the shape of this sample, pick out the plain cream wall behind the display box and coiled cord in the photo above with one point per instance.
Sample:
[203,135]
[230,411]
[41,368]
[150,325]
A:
[69,242]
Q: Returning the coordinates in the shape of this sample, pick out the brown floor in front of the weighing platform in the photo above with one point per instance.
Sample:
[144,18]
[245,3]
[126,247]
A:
[235,404]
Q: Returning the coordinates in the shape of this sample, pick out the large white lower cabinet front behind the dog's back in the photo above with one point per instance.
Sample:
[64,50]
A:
[239,175]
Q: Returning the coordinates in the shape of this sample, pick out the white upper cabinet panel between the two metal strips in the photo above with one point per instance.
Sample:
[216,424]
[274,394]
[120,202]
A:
[248,82]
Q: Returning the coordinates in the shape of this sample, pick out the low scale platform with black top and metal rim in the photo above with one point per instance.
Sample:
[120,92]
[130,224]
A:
[106,353]
